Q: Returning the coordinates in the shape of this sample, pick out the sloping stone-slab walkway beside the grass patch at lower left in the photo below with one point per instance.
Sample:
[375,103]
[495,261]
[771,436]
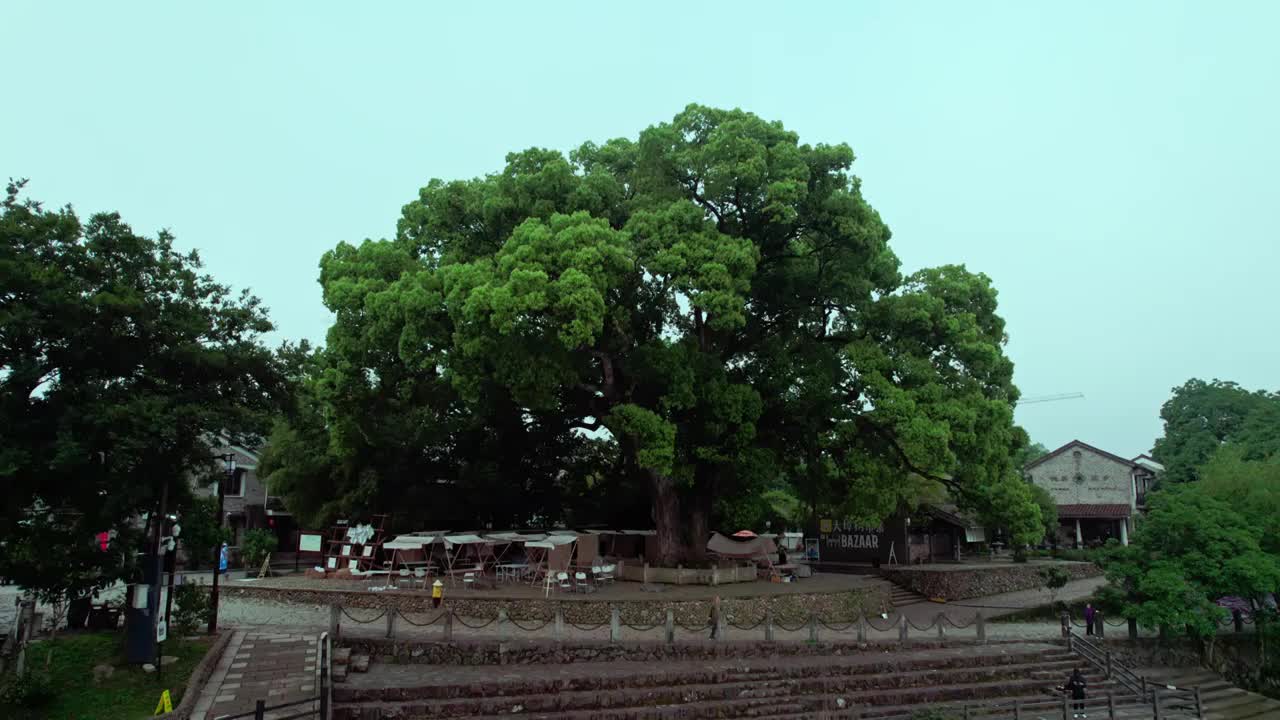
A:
[277,668]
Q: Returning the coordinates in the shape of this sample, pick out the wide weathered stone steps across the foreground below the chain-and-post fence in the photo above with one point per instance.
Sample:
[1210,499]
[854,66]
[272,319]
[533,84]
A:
[871,685]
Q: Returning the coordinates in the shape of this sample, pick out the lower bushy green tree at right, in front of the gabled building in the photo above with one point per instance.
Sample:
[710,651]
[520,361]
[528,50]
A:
[1191,550]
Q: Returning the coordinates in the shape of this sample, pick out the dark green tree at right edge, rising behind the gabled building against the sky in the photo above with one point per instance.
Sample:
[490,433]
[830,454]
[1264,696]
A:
[1203,417]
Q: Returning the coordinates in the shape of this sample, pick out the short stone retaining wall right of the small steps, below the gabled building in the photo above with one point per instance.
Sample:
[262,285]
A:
[980,582]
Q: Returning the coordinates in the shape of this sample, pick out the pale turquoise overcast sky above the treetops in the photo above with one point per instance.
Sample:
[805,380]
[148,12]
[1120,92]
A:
[1110,166]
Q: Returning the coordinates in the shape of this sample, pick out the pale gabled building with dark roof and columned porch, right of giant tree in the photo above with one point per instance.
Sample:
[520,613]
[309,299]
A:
[1099,495]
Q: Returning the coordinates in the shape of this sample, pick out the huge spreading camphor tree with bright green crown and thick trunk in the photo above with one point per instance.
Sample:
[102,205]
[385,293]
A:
[715,295]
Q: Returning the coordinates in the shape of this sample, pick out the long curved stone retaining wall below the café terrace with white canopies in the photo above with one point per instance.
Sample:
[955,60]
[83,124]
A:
[834,608]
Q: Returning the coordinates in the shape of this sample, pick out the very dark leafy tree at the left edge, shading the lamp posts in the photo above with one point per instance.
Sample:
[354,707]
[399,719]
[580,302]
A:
[118,363]
